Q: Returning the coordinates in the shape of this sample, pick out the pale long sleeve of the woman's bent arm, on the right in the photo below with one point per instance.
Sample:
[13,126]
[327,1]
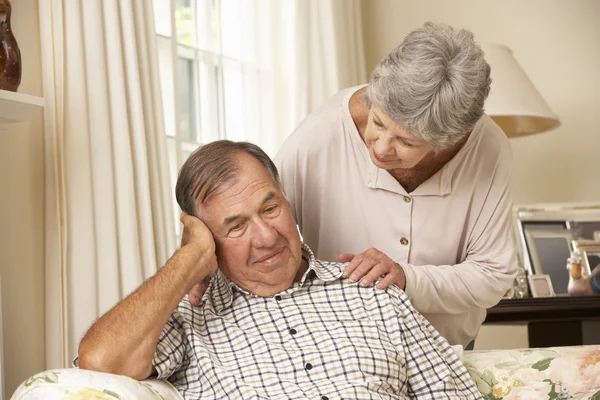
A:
[490,267]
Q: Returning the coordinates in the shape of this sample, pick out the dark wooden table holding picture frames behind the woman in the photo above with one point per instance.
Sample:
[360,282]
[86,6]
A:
[552,321]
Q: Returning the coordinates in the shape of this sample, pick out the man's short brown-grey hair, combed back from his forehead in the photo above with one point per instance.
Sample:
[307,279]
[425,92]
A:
[213,165]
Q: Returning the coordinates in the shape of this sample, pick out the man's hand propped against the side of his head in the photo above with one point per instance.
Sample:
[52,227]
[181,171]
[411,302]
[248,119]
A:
[199,241]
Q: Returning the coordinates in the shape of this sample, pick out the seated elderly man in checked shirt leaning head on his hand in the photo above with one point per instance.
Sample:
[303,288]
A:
[270,320]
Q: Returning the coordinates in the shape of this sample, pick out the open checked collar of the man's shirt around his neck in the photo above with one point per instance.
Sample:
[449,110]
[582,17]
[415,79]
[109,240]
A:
[220,291]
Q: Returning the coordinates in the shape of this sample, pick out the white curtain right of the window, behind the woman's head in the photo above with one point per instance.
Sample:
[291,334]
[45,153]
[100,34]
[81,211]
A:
[312,49]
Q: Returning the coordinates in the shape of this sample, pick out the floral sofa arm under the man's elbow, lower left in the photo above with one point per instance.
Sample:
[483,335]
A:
[76,384]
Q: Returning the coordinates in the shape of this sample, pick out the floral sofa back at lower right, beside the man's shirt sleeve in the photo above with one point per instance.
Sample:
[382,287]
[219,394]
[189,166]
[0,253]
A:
[551,373]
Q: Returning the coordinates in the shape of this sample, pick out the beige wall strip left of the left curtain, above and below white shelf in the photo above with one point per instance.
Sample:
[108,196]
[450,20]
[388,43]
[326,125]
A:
[22,217]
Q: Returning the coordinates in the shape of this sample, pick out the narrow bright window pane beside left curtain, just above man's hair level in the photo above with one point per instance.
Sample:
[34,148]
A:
[165,66]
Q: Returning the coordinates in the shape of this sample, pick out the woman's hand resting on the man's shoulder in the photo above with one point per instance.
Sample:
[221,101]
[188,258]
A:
[369,265]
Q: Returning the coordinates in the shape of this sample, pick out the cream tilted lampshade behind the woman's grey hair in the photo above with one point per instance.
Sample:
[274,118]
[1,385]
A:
[514,102]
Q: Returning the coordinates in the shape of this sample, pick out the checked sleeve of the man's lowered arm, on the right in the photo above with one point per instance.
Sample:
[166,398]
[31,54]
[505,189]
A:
[433,369]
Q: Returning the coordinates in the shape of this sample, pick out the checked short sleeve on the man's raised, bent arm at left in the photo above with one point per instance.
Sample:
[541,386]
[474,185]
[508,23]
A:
[169,356]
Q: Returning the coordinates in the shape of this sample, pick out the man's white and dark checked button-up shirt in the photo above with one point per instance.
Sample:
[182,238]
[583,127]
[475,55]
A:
[323,338]
